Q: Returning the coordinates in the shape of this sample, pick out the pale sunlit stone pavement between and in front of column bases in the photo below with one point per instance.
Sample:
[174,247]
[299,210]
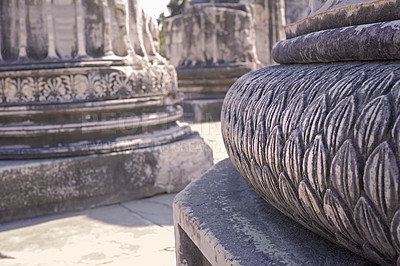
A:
[137,232]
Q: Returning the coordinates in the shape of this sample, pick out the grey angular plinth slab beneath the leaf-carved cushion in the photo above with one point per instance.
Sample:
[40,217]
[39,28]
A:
[220,220]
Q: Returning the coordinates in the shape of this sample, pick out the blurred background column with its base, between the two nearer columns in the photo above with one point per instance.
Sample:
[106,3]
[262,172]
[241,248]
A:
[214,42]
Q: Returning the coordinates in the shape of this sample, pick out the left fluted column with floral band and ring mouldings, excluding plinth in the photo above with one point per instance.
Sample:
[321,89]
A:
[71,67]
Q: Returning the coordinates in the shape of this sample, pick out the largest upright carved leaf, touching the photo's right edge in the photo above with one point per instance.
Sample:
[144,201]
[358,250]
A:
[381,180]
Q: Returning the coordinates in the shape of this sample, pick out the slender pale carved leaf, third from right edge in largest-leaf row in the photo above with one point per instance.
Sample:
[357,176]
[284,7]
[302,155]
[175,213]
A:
[315,166]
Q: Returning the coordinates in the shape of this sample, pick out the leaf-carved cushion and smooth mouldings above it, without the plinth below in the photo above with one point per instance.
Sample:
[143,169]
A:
[318,136]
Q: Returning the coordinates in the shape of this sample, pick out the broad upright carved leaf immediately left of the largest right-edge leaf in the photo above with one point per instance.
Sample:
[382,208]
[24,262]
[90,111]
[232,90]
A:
[345,174]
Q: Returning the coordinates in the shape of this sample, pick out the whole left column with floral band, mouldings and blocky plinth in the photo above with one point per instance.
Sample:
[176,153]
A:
[86,104]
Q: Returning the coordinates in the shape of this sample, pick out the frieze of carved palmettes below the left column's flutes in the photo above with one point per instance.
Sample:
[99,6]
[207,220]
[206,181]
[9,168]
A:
[91,84]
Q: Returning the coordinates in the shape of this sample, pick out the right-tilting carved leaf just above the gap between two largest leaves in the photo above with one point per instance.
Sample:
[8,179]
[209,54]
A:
[373,124]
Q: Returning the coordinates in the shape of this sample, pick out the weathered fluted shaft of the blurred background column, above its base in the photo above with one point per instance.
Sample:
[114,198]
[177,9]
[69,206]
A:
[222,33]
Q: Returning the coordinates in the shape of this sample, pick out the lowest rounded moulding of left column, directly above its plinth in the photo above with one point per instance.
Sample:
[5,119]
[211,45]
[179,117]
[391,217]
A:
[104,141]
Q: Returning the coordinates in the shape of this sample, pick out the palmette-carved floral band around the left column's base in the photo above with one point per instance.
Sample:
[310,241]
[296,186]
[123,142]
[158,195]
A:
[86,82]
